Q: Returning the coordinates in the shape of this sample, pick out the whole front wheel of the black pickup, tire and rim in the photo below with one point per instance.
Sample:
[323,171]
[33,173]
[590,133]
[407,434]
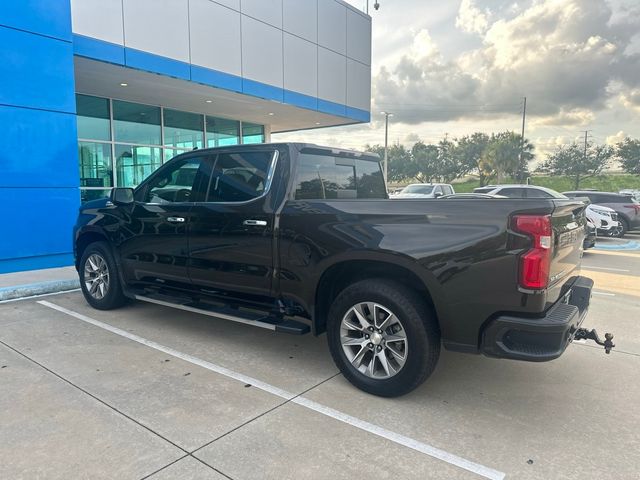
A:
[99,278]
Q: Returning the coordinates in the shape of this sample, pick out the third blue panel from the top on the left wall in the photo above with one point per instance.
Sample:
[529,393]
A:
[39,148]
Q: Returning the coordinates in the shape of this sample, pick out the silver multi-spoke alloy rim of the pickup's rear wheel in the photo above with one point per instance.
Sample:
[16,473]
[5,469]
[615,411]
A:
[374,340]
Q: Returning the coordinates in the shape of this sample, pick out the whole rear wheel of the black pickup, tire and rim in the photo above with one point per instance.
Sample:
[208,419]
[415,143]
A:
[383,337]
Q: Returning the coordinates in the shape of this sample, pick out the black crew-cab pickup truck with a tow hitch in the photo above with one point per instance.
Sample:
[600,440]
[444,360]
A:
[299,238]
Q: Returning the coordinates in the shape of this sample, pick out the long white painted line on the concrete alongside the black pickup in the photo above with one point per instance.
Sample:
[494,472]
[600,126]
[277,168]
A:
[434,452]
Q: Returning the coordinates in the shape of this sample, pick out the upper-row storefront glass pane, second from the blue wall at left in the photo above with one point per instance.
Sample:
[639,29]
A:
[136,123]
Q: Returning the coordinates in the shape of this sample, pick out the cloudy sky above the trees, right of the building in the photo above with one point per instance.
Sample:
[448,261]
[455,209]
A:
[448,68]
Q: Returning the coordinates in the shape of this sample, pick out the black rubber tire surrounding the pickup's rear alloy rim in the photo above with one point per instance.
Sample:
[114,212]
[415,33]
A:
[419,323]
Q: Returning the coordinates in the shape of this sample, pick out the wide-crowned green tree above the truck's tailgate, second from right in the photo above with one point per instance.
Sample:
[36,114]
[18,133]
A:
[572,161]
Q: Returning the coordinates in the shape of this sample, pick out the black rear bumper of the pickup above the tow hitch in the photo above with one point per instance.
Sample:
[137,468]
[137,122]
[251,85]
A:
[539,339]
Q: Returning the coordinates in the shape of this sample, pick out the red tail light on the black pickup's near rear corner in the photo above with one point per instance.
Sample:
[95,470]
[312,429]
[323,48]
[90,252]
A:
[536,262]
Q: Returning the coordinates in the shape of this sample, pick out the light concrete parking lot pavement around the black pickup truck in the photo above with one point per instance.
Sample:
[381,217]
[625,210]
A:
[151,392]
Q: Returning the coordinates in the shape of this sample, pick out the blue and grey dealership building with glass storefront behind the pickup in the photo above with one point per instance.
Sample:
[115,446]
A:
[99,93]
